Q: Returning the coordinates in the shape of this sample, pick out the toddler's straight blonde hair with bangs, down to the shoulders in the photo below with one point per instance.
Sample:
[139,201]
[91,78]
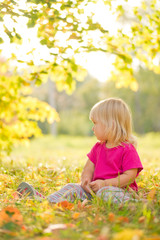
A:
[115,116]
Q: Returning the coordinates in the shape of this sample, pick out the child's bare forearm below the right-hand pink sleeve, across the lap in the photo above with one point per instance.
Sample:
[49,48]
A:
[122,180]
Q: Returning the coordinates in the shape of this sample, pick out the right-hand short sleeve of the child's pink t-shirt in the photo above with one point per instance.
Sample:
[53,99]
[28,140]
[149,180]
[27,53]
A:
[131,160]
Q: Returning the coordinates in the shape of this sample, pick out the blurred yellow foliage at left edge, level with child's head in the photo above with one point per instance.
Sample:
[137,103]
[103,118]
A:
[19,112]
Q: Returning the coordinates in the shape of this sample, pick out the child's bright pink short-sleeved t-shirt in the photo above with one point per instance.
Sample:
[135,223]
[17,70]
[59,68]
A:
[110,162]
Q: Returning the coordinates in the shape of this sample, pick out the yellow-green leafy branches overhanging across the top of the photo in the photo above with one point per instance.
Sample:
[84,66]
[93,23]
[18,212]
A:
[136,41]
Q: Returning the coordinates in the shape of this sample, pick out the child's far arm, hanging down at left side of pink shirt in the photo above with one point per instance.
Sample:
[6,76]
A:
[87,175]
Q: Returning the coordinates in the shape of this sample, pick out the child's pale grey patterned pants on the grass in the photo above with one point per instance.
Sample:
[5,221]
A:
[74,191]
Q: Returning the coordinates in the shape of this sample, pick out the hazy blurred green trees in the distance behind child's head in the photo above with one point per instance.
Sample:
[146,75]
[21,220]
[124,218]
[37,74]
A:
[74,109]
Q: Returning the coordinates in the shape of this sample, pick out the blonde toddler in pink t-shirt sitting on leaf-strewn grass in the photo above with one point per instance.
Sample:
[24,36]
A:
[113,162]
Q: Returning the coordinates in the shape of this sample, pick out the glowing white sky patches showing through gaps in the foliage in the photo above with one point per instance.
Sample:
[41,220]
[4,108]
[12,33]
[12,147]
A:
[98,64]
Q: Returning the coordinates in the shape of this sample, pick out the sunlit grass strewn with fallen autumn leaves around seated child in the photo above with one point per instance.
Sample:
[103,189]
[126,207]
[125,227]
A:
[49,163]
